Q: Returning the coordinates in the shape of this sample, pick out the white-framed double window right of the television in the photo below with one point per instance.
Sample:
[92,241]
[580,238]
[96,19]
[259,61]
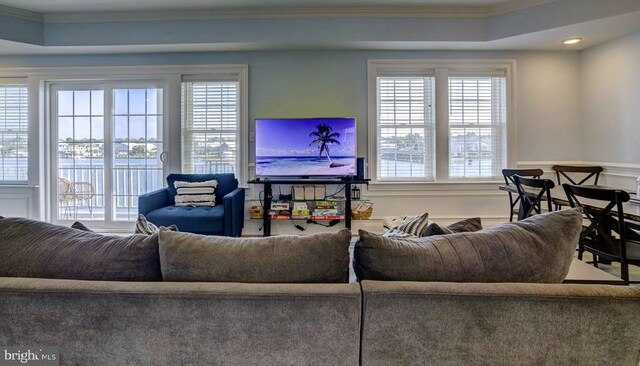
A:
[438,121]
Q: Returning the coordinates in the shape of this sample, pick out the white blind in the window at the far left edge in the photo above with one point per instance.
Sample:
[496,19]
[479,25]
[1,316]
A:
[14,131]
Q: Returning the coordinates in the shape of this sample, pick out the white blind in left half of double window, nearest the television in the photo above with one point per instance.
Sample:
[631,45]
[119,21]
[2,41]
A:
[405,128]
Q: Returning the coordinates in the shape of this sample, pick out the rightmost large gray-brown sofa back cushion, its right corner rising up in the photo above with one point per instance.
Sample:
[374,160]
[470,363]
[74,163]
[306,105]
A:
[538,249]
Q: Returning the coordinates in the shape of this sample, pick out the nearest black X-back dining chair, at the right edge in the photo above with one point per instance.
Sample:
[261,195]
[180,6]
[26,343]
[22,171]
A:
[607,236]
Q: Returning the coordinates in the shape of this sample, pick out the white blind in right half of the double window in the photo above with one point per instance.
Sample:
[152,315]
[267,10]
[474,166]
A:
[477,119]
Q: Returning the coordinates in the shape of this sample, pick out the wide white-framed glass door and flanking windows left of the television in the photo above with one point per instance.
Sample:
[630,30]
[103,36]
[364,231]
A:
[111,133]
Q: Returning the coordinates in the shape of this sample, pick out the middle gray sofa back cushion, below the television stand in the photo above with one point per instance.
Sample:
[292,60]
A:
[319,258]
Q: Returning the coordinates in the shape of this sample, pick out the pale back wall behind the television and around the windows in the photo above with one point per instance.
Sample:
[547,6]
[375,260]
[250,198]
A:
[333,83]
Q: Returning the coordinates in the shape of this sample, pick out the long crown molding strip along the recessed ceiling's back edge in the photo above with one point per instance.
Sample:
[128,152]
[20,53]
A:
[273,13]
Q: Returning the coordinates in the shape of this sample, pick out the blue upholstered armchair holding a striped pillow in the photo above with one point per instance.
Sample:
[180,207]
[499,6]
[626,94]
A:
[225,218]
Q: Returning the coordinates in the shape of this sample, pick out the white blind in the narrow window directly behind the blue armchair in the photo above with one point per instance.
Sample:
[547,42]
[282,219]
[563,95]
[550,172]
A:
[210,127]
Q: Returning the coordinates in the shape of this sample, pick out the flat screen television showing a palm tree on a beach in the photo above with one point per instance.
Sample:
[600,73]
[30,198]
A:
[305,147]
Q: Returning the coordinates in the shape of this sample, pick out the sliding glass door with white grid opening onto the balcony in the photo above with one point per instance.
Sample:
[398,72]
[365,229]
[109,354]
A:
[107,150]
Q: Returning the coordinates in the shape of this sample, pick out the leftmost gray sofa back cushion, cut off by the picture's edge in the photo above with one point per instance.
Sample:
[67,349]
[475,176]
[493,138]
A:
[30,248]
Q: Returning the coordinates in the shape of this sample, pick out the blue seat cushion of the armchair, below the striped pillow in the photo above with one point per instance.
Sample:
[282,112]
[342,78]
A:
[191,219]
